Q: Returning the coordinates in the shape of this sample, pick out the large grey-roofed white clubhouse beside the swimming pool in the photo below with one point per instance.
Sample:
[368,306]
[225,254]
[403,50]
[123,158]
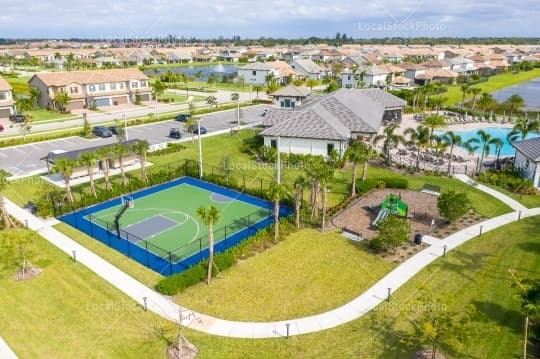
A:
[327,123]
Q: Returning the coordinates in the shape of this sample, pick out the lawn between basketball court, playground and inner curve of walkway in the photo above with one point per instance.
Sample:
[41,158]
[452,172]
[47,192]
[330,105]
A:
[309,273]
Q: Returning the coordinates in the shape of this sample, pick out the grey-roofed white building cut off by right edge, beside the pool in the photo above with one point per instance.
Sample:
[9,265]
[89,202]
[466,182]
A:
[527,159]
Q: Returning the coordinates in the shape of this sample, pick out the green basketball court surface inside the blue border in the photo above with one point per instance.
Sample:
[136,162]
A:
[166,221]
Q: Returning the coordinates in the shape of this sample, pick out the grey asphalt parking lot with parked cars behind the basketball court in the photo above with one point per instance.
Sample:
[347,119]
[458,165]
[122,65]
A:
[25,160]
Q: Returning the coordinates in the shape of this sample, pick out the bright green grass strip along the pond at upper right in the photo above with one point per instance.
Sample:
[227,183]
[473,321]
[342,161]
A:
[497,82]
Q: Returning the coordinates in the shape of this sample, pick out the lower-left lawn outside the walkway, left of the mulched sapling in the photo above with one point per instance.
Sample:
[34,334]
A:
[69,312]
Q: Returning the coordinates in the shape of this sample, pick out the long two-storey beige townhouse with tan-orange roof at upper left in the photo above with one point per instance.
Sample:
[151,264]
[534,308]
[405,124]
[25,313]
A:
[88,89]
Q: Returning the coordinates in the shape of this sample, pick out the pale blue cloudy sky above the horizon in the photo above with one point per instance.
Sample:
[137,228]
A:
[105,19]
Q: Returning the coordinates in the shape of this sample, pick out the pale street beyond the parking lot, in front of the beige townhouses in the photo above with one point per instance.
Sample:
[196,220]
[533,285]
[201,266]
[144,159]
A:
[96,118]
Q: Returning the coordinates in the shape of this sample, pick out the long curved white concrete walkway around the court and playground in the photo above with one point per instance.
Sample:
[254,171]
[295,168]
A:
[211,325]
